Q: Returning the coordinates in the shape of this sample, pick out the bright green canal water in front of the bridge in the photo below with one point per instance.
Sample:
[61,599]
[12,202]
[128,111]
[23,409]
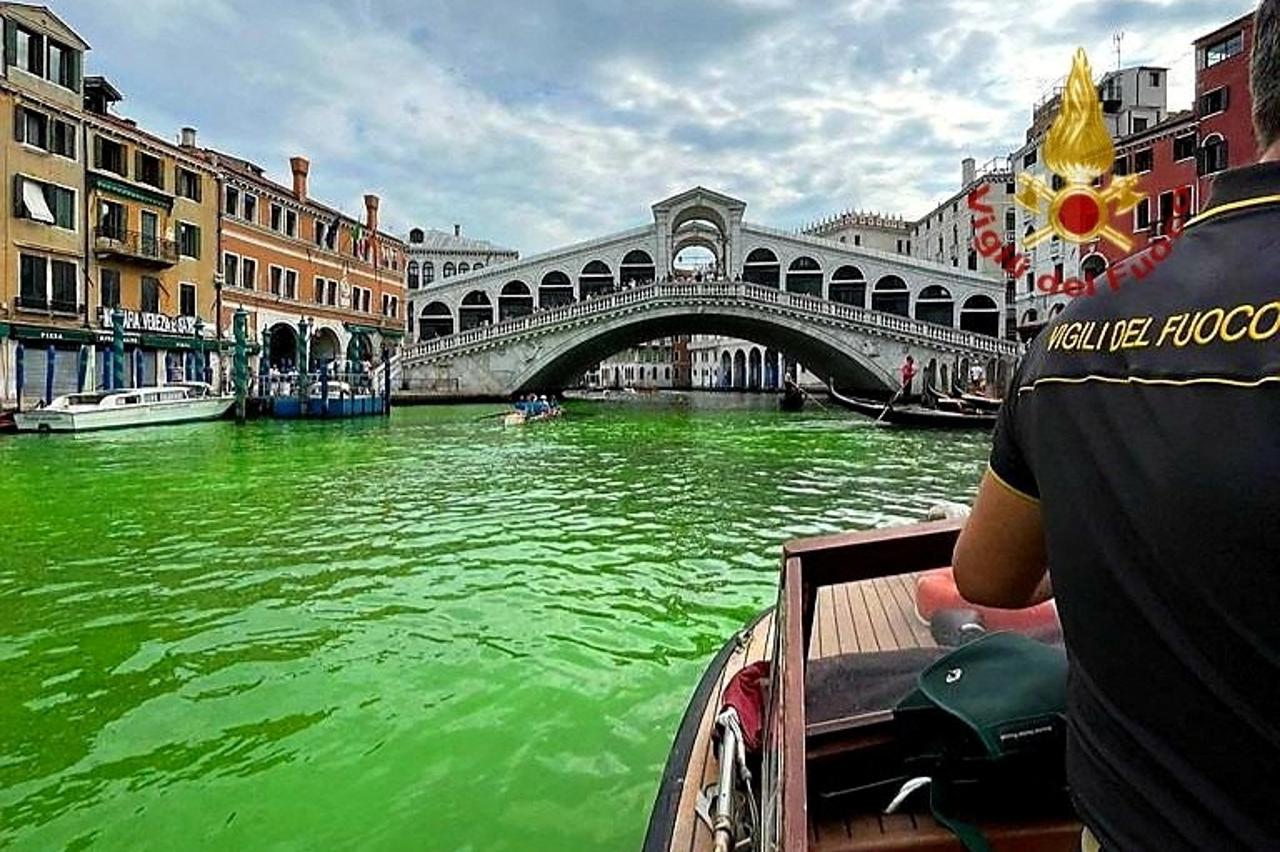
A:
[418,634]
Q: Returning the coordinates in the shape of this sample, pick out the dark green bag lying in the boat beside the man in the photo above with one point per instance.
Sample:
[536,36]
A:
[988,727]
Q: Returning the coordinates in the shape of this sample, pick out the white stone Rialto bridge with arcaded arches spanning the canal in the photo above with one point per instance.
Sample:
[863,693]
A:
[848,313]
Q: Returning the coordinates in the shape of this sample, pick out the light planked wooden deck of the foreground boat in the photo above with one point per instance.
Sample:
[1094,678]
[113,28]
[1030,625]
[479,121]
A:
[871,616]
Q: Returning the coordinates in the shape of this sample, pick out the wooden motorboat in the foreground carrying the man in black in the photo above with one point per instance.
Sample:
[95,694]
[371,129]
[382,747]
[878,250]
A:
[847,606]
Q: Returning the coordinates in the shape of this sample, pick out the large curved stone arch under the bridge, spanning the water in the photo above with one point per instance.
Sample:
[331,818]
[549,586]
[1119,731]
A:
[849,363]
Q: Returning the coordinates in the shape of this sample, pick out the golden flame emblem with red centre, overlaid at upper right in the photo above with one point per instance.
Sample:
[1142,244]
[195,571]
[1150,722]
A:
[1080,149]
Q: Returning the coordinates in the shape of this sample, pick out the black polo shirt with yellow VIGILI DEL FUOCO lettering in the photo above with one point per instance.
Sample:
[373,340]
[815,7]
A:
[1146,423]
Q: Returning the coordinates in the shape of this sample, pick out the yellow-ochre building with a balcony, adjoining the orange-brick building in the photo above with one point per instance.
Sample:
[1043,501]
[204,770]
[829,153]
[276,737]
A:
[153,212]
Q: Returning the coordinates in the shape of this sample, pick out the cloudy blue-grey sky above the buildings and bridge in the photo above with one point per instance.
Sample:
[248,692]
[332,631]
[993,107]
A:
[536,123]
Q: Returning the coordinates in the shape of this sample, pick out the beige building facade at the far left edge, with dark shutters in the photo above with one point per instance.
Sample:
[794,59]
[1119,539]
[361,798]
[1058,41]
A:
[44,285]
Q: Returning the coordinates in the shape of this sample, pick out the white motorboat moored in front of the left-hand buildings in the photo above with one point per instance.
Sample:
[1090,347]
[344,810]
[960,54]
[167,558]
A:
[177,404]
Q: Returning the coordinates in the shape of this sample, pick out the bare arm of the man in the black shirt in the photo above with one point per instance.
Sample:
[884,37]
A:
[1000,558]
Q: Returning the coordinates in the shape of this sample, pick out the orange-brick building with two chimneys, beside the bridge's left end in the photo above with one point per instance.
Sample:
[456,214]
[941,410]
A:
[299,267]
